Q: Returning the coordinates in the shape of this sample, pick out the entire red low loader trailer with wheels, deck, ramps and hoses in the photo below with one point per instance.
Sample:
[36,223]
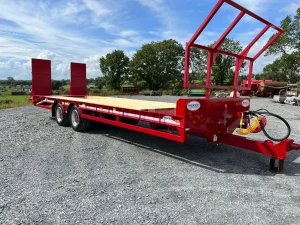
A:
[219,120]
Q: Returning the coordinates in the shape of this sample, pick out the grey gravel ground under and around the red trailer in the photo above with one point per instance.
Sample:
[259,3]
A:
[109,175]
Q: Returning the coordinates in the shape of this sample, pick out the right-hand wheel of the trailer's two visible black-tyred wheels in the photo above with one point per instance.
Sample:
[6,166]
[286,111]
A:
[77,122]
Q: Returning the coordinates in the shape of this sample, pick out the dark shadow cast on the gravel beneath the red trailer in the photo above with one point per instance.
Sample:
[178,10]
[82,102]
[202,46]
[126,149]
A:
[201,153]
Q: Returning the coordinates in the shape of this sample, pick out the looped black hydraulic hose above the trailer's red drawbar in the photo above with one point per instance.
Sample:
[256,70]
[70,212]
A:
[258,112]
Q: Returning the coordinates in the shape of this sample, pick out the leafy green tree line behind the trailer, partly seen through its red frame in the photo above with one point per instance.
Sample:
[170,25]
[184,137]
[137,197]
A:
[160,65]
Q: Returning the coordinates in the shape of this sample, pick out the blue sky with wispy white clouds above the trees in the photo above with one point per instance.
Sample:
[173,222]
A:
[82,31]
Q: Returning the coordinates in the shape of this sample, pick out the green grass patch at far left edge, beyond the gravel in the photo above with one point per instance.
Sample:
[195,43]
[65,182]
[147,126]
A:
[13,101]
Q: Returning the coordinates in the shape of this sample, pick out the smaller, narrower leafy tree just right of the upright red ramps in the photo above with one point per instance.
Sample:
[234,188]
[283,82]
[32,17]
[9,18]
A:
[115,67]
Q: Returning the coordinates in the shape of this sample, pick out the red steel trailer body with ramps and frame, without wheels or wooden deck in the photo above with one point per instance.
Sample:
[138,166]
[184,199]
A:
[214,119]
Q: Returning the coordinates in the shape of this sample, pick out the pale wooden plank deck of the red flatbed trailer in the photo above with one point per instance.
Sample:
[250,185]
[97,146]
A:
[119,102]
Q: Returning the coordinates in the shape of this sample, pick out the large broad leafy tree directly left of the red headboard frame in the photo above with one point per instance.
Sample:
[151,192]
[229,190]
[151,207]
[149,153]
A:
[159,64]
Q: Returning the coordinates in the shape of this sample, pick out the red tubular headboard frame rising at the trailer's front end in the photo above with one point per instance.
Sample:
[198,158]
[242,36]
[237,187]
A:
[216,48]
